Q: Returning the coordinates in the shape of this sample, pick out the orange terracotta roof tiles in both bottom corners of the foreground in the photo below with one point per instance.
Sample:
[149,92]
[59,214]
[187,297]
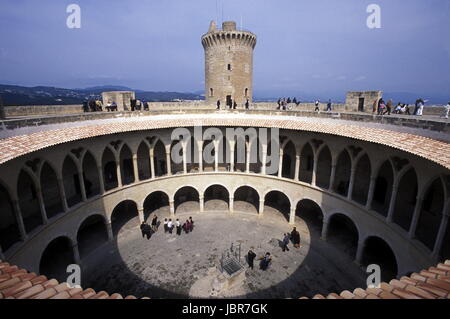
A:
[433,283]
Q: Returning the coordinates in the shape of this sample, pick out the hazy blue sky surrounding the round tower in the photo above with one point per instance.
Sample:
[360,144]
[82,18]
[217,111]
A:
[304,46]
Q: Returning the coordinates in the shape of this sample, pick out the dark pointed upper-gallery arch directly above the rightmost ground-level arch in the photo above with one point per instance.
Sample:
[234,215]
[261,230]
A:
[383,188]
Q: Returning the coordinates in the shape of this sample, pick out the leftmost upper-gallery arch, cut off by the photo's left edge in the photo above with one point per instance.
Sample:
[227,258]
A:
[9,229]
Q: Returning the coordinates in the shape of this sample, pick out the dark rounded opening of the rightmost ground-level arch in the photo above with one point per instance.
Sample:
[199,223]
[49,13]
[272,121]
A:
[377,251]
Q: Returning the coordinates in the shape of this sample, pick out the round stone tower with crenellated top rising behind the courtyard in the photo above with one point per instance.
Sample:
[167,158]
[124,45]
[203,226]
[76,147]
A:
[228,64]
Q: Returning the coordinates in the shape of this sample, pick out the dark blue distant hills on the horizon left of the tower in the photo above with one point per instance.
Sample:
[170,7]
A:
[45,95]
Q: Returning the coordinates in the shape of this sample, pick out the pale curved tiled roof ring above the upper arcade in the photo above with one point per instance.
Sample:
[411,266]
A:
[433,150]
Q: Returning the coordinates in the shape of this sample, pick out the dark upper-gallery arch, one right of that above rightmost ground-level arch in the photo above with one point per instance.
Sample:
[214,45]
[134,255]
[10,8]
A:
[405,202]
